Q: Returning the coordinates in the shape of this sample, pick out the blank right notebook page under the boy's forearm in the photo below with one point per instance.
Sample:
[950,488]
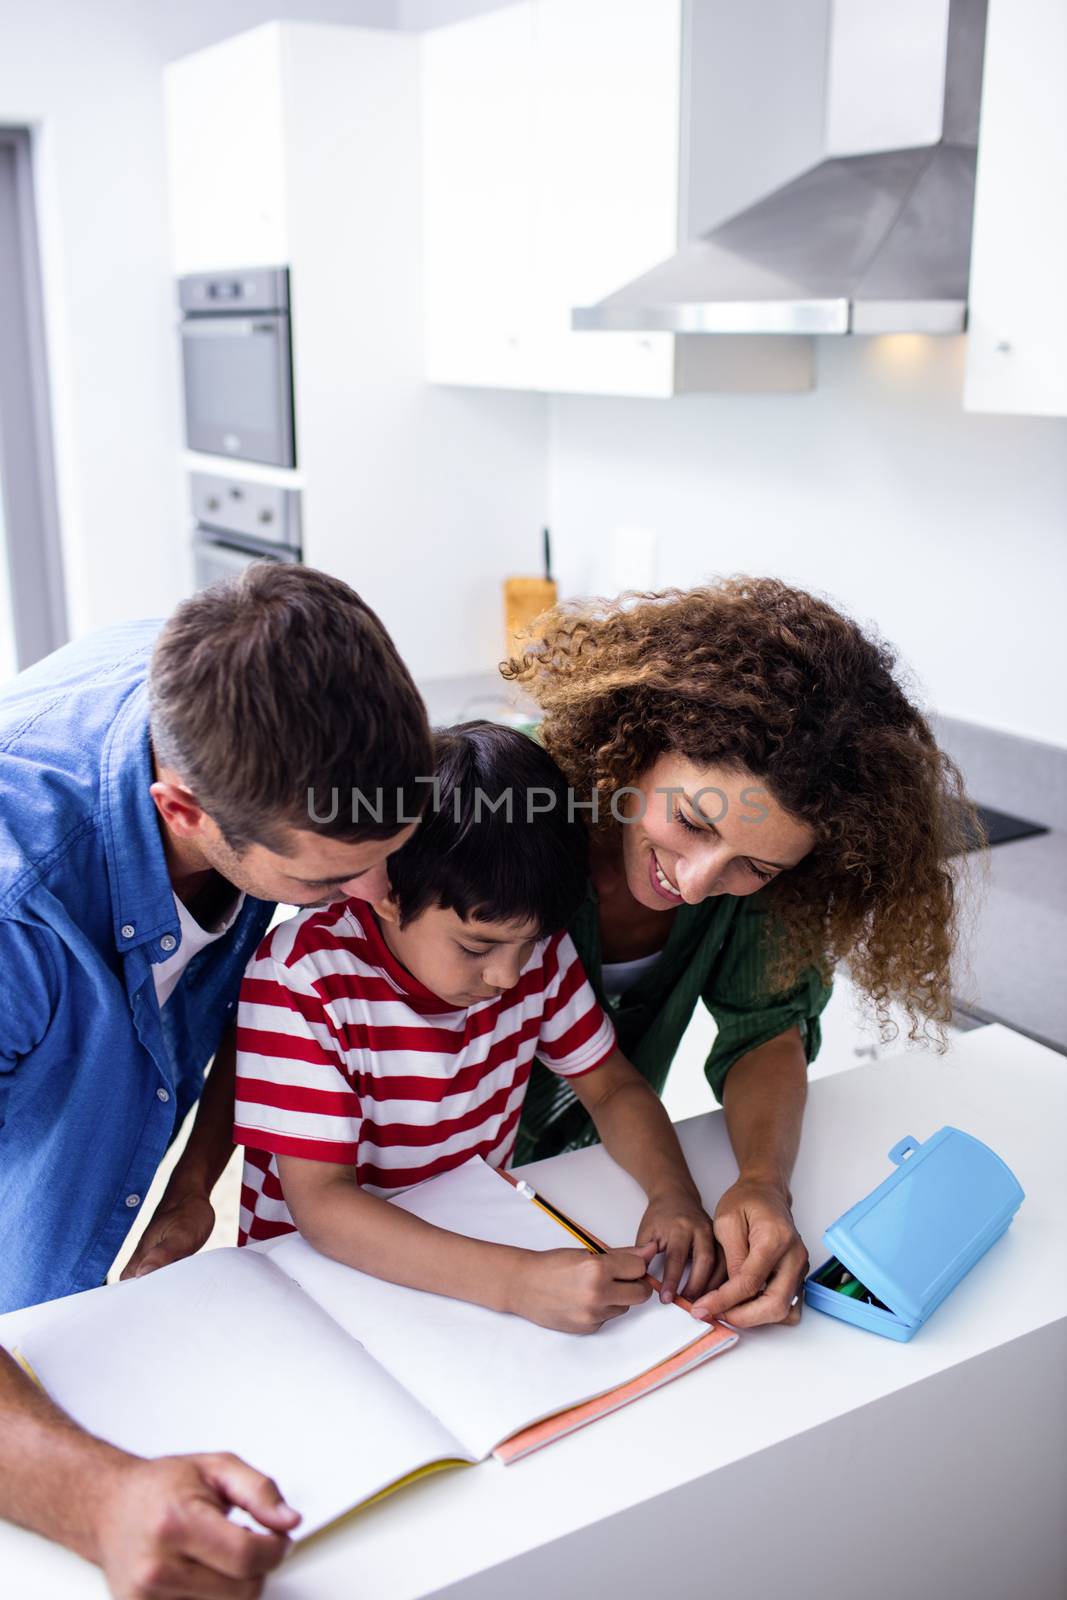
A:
[482,1374]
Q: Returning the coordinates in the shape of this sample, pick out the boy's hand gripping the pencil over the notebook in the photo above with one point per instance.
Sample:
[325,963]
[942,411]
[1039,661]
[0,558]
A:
[577,1292]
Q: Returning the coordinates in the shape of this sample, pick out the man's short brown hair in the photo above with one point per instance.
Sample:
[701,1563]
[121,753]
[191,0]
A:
[278,694]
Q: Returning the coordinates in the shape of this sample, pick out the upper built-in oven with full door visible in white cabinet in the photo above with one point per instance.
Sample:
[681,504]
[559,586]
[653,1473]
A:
[238,364]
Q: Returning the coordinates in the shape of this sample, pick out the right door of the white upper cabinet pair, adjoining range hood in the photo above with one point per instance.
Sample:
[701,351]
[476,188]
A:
[607,164]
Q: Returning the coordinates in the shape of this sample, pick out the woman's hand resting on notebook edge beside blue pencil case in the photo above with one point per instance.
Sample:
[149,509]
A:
[765,1263]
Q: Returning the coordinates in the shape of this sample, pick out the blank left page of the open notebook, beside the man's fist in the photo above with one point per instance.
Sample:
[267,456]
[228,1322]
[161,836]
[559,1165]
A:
[223,1353]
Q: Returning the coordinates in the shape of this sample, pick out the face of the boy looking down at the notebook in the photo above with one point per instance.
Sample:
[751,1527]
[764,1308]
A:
[462,961]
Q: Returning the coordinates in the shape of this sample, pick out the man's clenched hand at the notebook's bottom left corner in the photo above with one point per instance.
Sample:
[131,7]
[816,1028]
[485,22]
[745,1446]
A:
[161,1529]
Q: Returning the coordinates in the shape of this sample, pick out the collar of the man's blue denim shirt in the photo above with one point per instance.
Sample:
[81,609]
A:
[143,903]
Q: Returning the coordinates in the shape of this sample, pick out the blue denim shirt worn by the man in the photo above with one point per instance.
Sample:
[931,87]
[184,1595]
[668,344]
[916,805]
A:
[94,1079]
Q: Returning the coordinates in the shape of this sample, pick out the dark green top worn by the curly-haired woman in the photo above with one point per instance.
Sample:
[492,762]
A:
[713,954]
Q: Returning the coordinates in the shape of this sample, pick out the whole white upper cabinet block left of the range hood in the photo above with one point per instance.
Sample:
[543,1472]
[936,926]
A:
[551,150]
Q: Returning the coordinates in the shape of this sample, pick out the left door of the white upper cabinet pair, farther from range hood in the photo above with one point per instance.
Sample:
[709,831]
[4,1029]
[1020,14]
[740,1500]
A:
[479,180]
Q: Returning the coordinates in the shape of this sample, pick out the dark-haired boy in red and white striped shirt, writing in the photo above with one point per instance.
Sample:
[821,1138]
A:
[385,1044]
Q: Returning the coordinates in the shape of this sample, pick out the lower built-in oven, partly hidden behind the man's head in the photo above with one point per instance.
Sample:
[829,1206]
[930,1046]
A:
[238,522]
